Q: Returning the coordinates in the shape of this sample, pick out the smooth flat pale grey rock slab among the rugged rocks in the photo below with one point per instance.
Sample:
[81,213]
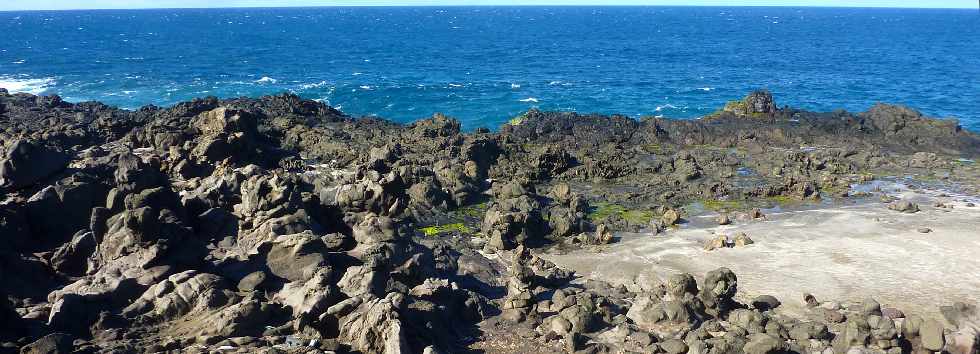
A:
[841,253]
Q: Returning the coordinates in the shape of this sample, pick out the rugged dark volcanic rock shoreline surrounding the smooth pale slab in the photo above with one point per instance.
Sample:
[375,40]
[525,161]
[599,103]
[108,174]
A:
[281,225]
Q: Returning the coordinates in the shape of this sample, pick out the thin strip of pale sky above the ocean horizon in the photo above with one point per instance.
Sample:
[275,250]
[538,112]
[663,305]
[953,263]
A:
[127,4]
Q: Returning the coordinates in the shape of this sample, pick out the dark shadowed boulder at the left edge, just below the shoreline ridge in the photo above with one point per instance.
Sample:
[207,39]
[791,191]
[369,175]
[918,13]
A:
[27,163]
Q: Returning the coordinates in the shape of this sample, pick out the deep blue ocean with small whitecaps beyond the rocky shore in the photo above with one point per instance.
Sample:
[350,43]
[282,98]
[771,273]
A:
[485,65]
